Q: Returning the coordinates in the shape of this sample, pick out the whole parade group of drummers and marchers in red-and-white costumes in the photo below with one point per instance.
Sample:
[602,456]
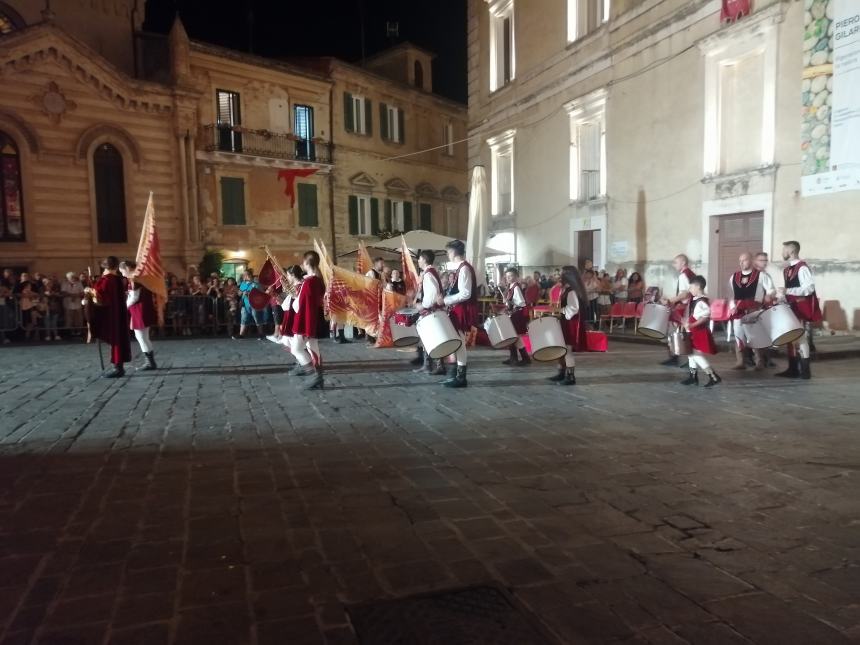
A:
[442,320]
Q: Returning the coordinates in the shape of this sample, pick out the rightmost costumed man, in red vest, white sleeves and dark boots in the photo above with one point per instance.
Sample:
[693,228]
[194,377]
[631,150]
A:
[799,292]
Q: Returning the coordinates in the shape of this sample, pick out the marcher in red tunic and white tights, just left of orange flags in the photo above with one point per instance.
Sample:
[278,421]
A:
[309,323]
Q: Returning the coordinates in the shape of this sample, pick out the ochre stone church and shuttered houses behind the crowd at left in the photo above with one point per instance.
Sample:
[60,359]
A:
[240,151]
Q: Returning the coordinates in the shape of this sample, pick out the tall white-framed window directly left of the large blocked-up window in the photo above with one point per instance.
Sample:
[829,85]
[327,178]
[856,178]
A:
[588,147]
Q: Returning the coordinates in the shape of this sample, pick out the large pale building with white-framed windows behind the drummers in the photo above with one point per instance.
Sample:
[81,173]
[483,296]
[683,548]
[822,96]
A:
[628,131]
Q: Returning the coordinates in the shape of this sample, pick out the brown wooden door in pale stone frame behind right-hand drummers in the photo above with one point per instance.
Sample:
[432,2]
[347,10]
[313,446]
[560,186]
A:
[732,235]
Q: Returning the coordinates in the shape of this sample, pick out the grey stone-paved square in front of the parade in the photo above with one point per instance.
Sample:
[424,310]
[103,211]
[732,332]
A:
[215,502]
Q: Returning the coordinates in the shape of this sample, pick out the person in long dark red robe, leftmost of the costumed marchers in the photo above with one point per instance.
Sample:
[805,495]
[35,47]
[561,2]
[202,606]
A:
[111,324]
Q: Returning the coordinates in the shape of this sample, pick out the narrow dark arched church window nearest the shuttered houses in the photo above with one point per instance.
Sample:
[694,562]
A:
[110,194]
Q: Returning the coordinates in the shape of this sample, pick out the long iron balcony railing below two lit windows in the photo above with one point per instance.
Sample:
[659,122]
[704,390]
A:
[264,143]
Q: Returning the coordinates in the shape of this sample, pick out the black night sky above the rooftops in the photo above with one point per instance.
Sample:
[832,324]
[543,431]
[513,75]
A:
[327,28]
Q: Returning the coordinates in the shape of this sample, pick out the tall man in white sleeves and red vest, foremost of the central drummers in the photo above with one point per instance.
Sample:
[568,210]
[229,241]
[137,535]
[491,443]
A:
[462,303]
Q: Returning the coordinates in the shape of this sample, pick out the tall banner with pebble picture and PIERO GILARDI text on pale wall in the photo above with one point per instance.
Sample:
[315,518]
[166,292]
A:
[830,126]
